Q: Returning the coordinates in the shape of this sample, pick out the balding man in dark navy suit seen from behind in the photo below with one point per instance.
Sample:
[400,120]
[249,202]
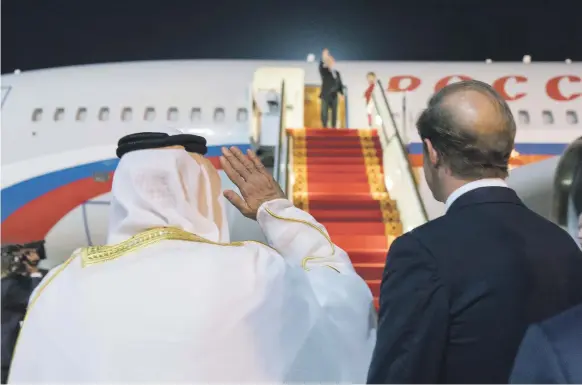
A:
[459,292]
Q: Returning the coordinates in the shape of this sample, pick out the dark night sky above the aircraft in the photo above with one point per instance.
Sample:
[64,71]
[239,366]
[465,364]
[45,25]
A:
[49,33]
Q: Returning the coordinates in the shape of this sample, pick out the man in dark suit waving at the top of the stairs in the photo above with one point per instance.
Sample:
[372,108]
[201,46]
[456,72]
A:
[331,88]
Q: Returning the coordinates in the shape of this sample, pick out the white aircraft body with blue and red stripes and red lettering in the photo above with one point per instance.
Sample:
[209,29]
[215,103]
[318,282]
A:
[60,126]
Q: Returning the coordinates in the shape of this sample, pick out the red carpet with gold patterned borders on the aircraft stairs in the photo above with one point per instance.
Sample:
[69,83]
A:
[338,179]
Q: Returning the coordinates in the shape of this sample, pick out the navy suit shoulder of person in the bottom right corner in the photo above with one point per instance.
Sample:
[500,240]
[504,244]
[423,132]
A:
[551,352]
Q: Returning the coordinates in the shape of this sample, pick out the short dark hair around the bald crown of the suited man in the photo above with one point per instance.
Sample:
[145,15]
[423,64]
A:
[468,153]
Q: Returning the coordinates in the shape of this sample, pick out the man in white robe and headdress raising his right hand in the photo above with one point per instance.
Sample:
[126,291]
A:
[168,299]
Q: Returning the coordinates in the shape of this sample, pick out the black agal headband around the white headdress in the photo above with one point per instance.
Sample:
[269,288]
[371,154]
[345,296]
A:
[151,140]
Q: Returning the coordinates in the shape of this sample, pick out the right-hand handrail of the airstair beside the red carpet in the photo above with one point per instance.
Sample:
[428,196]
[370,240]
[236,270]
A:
[383,102]
